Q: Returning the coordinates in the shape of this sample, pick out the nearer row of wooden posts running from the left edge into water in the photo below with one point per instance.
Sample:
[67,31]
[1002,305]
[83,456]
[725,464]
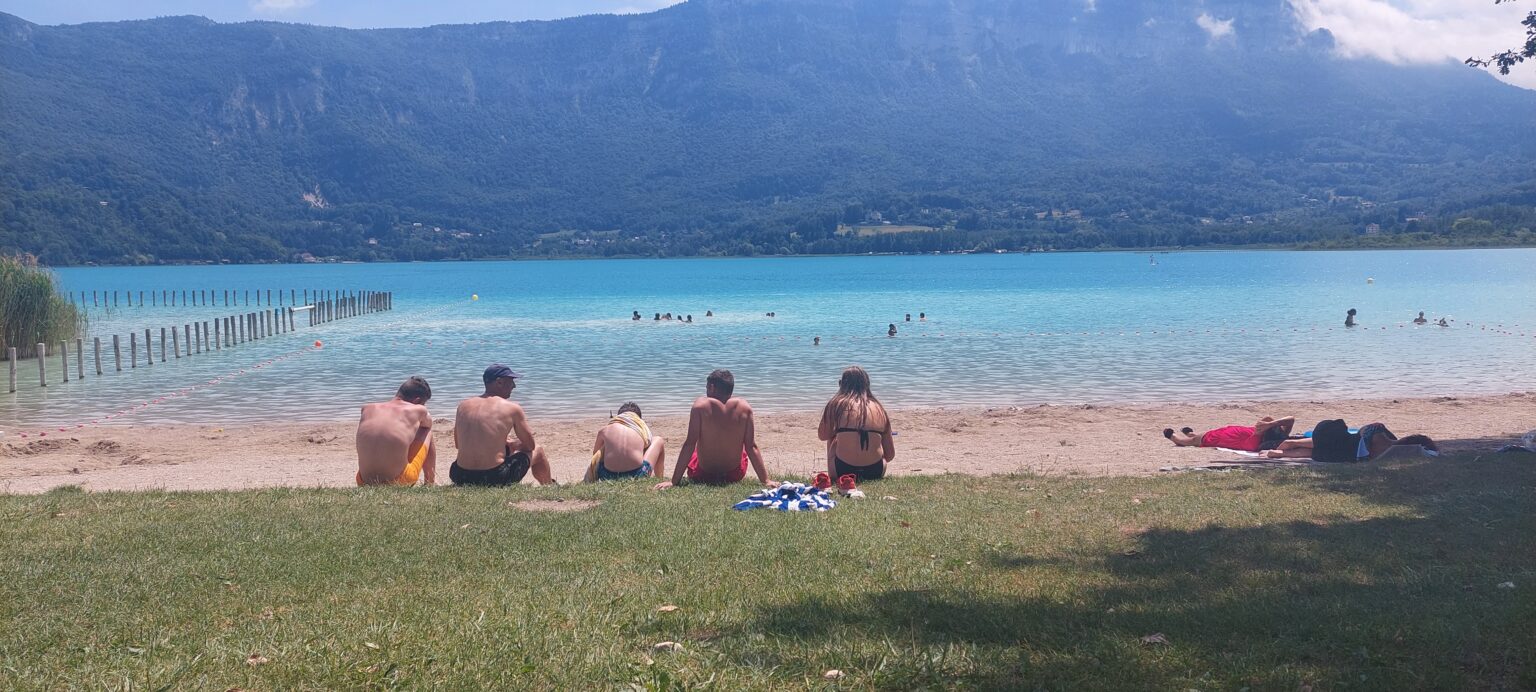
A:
[205,337]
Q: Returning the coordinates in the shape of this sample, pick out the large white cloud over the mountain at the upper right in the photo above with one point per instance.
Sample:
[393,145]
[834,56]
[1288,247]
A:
[1422,31]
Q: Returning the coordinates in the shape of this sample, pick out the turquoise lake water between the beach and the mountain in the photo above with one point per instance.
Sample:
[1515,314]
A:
[1001,331]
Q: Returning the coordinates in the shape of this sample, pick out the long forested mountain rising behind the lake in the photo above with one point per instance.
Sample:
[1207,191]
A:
[740,127]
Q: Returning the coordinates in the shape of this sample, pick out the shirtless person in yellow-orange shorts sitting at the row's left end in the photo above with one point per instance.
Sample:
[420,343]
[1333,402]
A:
[396,440]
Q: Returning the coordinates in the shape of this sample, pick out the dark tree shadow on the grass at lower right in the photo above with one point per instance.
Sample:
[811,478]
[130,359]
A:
[1403,602]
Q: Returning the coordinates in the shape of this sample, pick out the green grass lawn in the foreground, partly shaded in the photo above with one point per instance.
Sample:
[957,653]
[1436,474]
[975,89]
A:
[1360,578]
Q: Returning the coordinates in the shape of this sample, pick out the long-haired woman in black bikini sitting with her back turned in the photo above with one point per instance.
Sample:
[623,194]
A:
[856,430]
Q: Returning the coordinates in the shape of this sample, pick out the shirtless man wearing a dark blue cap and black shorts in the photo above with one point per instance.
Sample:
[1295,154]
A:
[494,438]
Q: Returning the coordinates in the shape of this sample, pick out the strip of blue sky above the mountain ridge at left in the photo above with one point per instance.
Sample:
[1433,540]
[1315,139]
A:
[329,13]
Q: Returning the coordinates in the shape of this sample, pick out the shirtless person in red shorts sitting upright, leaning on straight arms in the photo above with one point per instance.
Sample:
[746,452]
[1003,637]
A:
[721,438]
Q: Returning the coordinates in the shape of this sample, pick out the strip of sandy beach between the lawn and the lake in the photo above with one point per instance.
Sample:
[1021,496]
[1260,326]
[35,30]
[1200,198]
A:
[1048,440]
